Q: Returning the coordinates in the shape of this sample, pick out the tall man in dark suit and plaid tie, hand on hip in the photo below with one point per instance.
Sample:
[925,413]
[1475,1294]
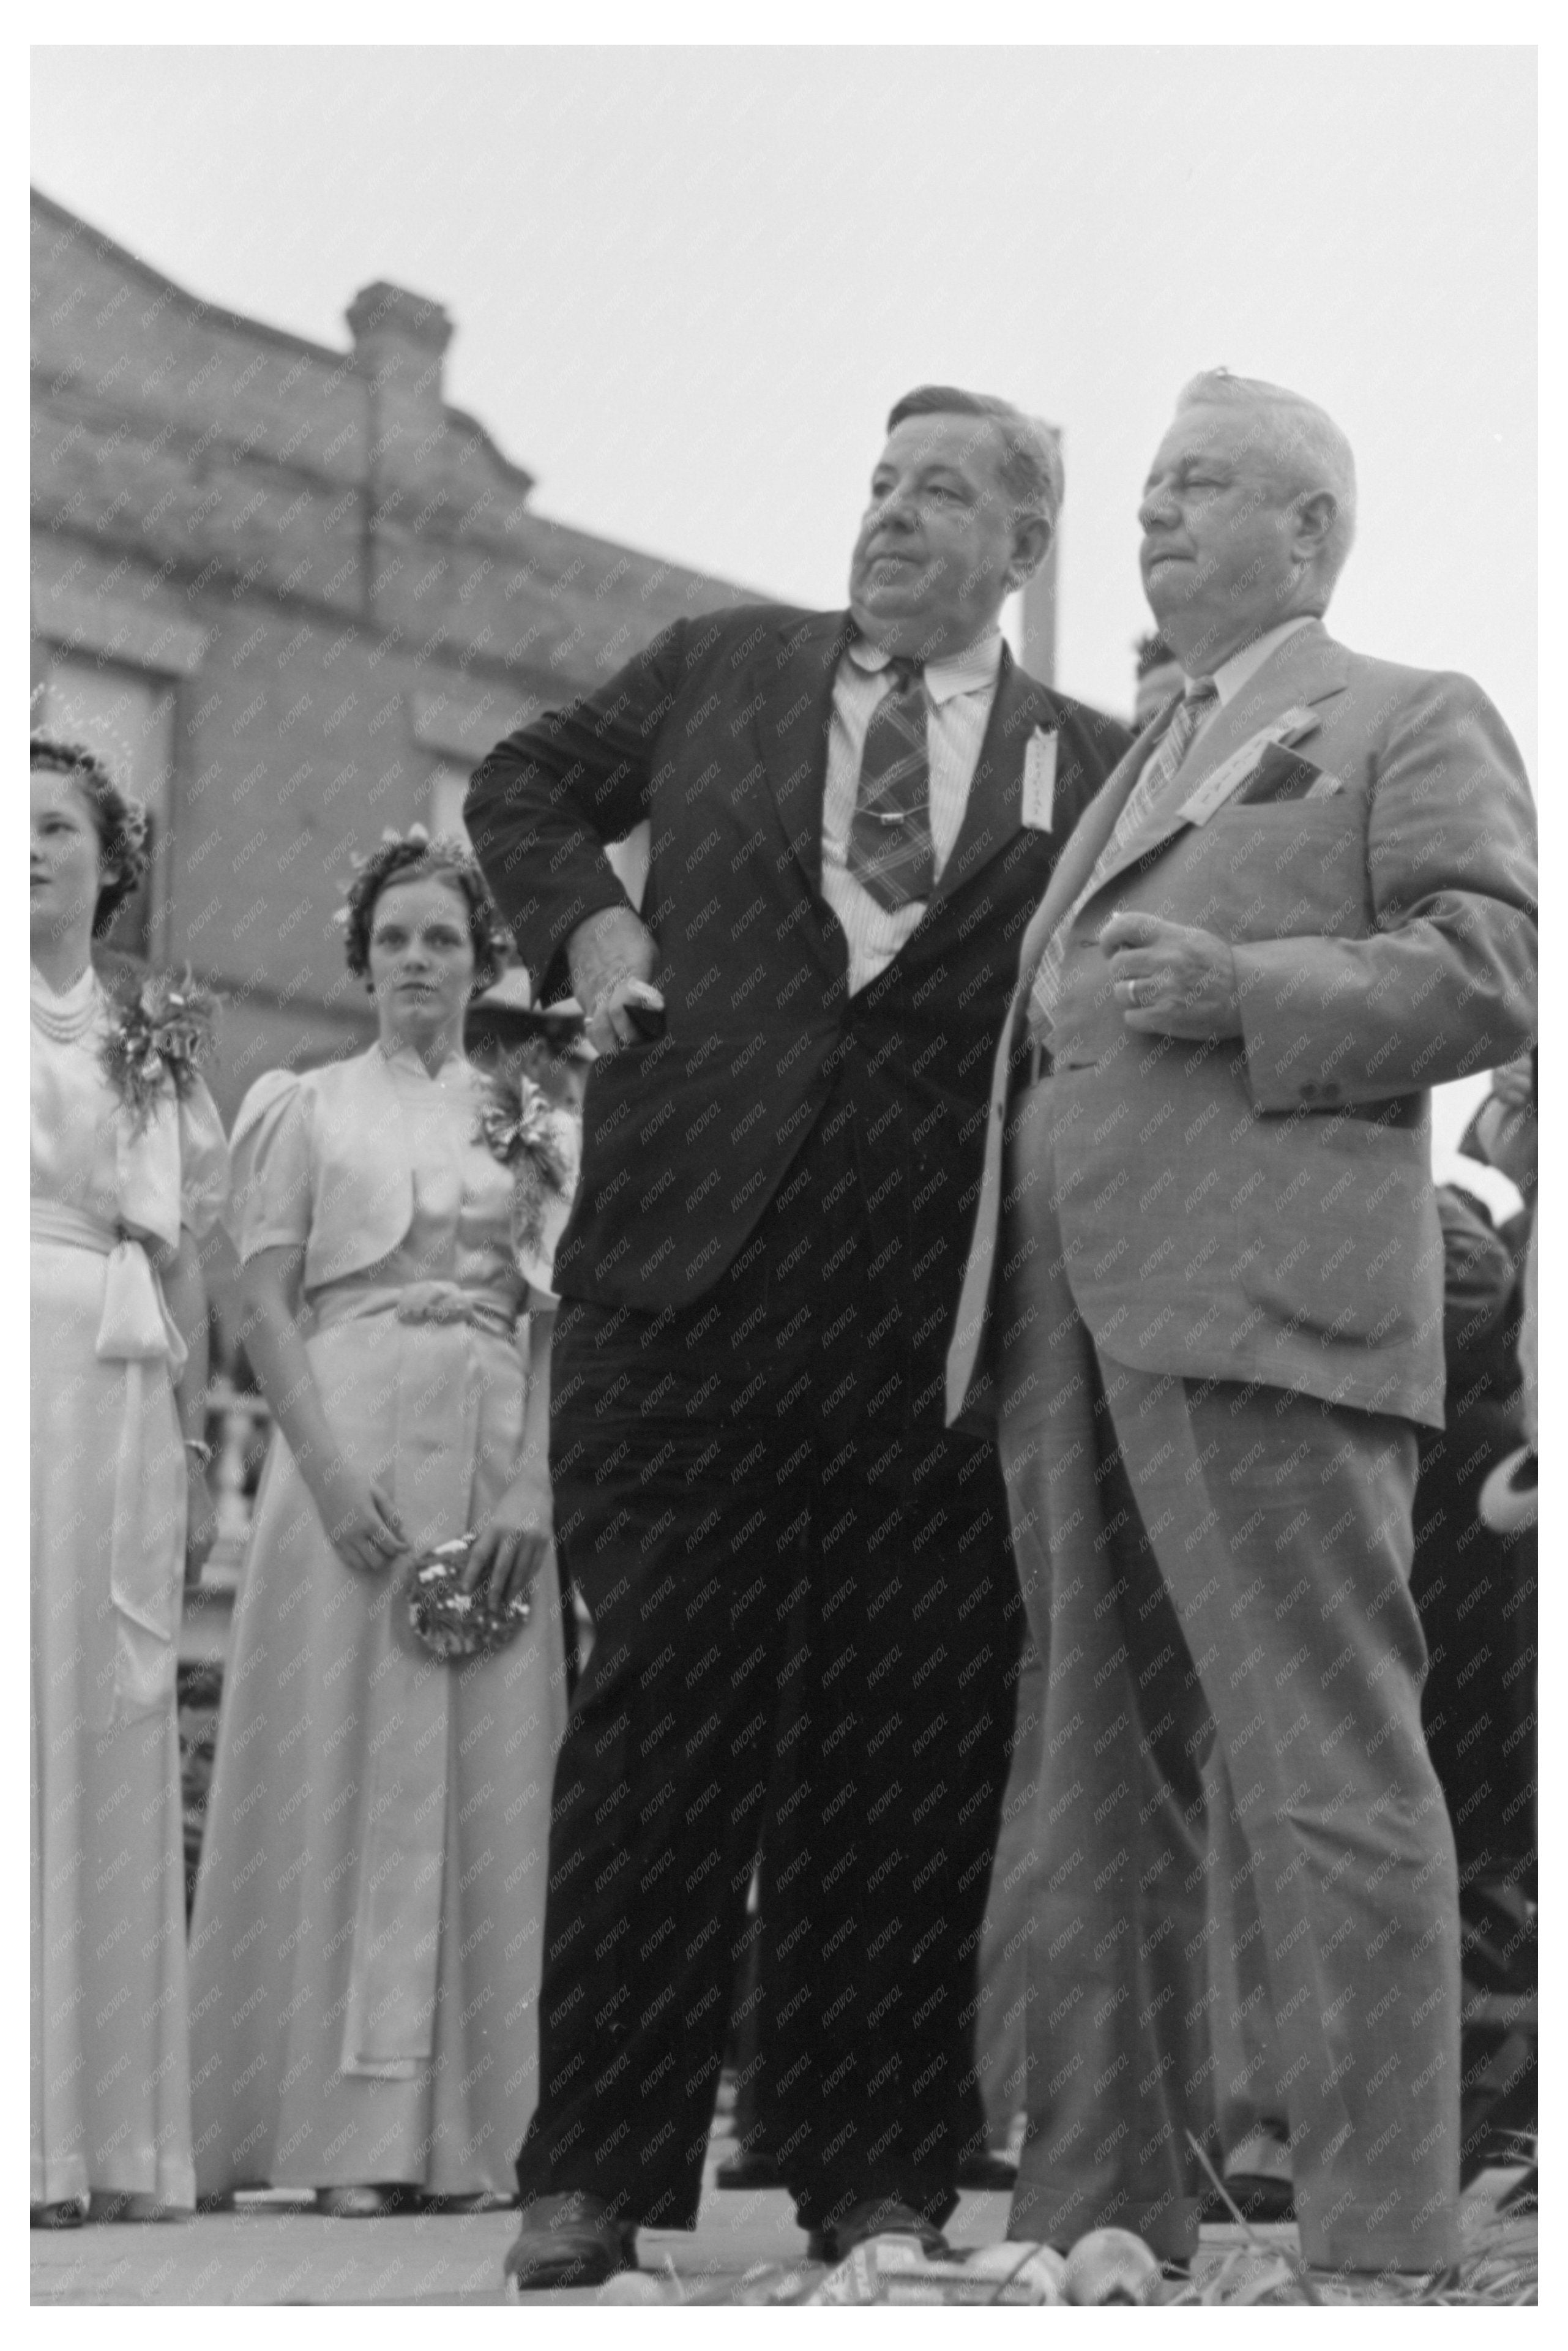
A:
[803,1593]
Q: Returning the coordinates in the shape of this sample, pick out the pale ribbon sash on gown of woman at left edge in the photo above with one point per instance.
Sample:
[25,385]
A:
[135,1332]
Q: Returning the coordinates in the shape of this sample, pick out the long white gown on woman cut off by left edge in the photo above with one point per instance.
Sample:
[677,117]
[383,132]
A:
[112,2087]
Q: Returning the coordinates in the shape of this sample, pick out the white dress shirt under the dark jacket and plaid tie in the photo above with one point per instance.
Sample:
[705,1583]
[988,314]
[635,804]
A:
[960,695]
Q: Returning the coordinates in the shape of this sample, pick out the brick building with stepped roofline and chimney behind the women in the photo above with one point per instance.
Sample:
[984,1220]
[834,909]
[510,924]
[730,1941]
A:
[293,596]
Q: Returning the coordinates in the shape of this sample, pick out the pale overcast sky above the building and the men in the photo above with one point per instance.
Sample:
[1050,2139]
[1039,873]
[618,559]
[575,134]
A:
[688,283]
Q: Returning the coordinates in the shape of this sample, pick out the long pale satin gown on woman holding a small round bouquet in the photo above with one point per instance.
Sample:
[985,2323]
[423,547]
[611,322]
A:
[368,1924]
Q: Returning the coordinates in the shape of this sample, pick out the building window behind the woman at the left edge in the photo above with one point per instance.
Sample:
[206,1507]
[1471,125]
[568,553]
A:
[128,721]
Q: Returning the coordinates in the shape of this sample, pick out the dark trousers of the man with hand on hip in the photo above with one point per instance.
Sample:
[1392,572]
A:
[805,1616]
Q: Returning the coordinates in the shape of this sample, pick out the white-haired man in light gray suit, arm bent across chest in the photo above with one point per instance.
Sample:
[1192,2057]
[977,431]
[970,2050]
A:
[1205,1304]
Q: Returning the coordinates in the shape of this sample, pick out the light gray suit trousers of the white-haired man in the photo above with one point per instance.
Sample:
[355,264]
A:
[1219,1576]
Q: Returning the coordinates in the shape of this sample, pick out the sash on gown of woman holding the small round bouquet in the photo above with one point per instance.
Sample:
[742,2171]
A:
[389,2025]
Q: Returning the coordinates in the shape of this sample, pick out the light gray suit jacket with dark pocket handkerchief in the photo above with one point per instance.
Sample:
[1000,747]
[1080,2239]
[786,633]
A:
[1261,1210]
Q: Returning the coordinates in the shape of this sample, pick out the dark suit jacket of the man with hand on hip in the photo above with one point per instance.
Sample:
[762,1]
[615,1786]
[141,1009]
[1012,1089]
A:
[718,735]
